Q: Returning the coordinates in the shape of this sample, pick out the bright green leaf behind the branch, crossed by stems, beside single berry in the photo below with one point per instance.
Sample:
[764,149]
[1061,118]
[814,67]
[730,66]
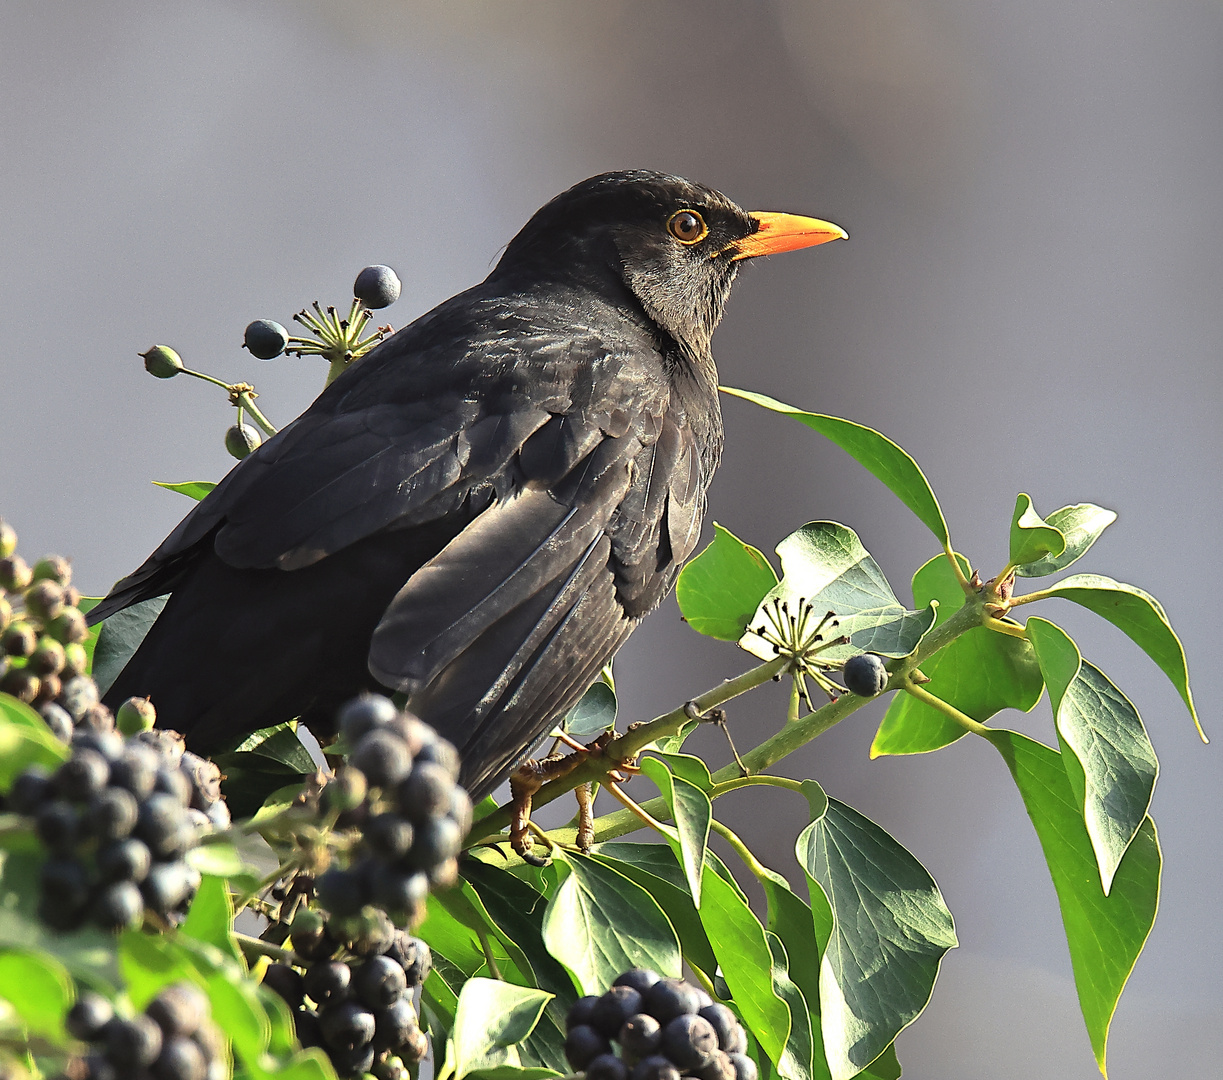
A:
[980,673]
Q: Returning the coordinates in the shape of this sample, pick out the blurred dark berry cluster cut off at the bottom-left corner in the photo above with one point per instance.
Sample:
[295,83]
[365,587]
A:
[174,1039]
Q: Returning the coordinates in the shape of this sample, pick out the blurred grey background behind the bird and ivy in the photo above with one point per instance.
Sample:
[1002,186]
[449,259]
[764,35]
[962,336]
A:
[1030,301]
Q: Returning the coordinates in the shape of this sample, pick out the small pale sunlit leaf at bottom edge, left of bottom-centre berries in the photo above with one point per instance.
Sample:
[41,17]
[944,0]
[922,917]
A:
[491,1019]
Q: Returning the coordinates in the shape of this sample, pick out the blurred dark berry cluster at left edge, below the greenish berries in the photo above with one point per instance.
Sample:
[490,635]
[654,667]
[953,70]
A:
[118,820]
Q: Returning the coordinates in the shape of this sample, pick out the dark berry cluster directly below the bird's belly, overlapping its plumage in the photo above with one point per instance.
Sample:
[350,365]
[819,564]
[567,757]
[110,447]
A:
[401,790]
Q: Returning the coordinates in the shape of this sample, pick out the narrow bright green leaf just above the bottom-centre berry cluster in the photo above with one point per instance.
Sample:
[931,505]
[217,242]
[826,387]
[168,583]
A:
[747,963]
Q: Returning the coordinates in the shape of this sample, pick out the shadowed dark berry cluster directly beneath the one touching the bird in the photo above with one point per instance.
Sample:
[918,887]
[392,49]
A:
[355,1001]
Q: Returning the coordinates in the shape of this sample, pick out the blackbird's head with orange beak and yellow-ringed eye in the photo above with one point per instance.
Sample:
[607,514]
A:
[674,244]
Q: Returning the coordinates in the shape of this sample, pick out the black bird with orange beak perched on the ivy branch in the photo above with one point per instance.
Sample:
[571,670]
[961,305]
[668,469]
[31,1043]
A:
[482,509]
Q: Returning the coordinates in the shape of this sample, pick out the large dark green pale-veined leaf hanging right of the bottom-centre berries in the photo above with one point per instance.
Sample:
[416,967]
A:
[891,933]
